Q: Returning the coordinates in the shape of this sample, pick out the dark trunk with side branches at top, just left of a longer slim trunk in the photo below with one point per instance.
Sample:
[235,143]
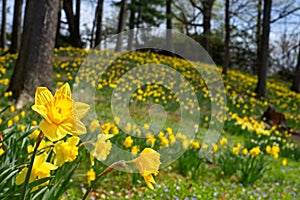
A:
[207,12]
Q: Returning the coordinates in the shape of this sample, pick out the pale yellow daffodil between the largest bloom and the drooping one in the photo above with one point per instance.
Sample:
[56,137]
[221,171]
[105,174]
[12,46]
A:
[102,147]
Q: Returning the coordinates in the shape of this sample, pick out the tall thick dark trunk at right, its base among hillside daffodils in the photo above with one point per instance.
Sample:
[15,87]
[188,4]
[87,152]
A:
[261,88]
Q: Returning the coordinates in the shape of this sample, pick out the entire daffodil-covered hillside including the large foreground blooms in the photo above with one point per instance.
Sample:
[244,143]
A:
[77,144]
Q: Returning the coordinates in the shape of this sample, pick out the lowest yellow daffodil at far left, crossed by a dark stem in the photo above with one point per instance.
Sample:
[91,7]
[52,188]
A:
[40,169]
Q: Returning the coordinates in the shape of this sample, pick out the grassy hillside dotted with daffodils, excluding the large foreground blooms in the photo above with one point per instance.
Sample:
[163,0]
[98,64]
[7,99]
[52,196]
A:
[249,161]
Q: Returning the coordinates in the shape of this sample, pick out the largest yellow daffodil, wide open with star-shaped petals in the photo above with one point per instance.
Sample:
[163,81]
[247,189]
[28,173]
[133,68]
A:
[60,112]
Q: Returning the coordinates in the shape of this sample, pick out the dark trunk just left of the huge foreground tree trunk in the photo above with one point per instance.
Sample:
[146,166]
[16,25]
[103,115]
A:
[16,29]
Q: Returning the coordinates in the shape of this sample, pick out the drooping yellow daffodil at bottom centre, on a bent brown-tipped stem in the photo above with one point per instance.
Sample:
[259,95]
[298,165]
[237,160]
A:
[147,164]
